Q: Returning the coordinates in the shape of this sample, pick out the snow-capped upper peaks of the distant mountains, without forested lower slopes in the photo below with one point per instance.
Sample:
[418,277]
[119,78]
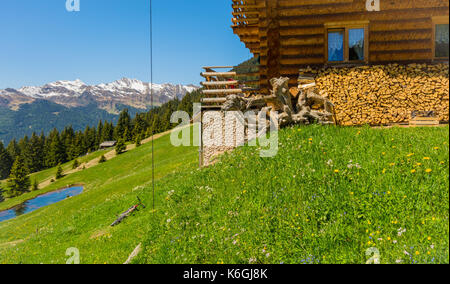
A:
[130,92]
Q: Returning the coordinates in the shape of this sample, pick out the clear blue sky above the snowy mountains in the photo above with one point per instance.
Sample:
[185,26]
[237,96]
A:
[41,42]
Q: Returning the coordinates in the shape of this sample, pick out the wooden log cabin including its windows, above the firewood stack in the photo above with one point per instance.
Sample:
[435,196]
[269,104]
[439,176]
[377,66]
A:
[288,35]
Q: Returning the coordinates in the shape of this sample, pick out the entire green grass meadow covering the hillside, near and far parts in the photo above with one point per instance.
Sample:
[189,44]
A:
[324,200]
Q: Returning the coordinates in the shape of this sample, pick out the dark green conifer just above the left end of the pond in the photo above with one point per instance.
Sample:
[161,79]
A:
[18,182]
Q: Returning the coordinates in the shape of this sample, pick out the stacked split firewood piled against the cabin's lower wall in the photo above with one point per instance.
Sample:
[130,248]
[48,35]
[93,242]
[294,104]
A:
[384,94]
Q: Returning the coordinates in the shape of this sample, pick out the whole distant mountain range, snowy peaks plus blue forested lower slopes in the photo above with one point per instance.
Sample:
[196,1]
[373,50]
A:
[62,103]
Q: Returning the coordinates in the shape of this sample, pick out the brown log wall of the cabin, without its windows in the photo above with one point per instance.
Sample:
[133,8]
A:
[401,32]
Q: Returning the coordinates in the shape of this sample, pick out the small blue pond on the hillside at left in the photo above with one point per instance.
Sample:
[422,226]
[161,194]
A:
[39,202]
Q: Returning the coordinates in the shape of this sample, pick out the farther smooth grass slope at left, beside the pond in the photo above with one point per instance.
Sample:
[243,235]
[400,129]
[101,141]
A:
[83,221]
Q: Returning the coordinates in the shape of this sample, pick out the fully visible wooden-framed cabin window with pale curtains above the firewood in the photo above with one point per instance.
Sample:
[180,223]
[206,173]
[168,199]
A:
[347,42]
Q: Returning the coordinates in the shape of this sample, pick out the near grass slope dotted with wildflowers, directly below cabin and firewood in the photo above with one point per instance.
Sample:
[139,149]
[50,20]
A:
[308,204]
